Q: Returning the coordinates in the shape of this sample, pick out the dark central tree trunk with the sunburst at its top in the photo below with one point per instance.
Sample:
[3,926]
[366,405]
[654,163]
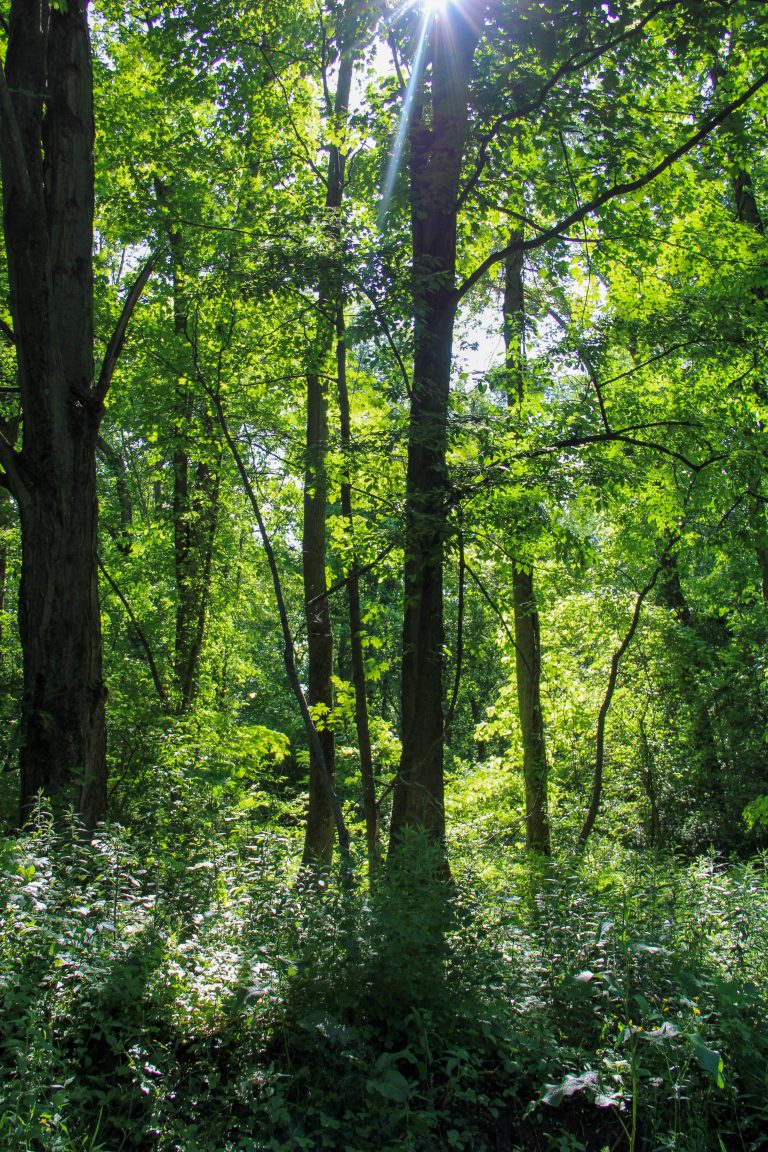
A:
[436,151]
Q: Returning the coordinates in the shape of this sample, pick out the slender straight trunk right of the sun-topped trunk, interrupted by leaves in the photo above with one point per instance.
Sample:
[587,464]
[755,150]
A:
[528,639]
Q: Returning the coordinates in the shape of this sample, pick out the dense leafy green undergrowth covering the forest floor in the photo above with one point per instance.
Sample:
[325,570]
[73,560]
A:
[218,999]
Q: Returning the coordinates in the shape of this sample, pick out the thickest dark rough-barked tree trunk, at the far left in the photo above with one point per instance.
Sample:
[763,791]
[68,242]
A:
[48,181]
